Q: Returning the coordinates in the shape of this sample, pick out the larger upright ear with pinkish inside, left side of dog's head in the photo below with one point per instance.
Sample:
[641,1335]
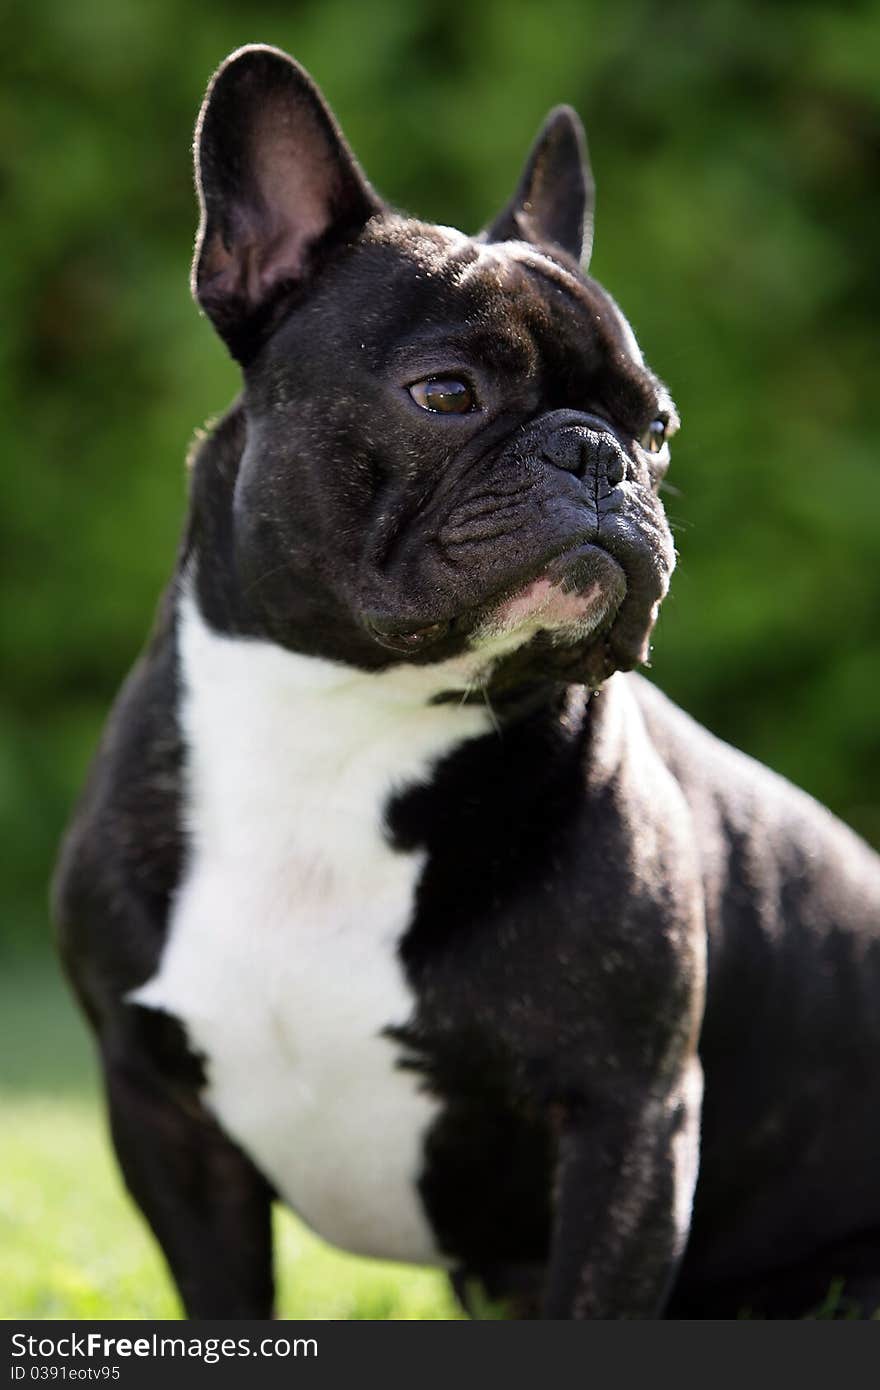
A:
[279,191]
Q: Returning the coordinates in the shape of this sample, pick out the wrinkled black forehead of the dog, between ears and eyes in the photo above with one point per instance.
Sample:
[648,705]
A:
[511,300]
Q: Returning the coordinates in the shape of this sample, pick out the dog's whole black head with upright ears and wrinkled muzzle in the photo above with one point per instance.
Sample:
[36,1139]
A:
[454,445]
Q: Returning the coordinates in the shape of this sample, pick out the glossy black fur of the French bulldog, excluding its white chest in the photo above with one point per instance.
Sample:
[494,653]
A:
[582,862]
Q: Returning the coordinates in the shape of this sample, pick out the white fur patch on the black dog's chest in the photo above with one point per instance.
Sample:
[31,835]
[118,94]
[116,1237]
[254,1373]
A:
[282,958]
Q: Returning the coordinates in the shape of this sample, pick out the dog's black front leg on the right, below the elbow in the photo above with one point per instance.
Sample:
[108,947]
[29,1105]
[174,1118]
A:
[625,1185]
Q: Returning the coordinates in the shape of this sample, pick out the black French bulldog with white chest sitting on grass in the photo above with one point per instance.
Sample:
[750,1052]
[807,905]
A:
[396,893]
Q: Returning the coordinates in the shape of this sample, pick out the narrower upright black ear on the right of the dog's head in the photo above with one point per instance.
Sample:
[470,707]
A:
[557,195]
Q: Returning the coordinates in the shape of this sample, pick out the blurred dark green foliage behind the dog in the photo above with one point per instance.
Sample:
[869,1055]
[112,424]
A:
[738,154]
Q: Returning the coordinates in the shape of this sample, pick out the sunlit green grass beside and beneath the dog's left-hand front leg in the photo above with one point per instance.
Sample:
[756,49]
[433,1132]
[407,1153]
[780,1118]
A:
[72,1242]
